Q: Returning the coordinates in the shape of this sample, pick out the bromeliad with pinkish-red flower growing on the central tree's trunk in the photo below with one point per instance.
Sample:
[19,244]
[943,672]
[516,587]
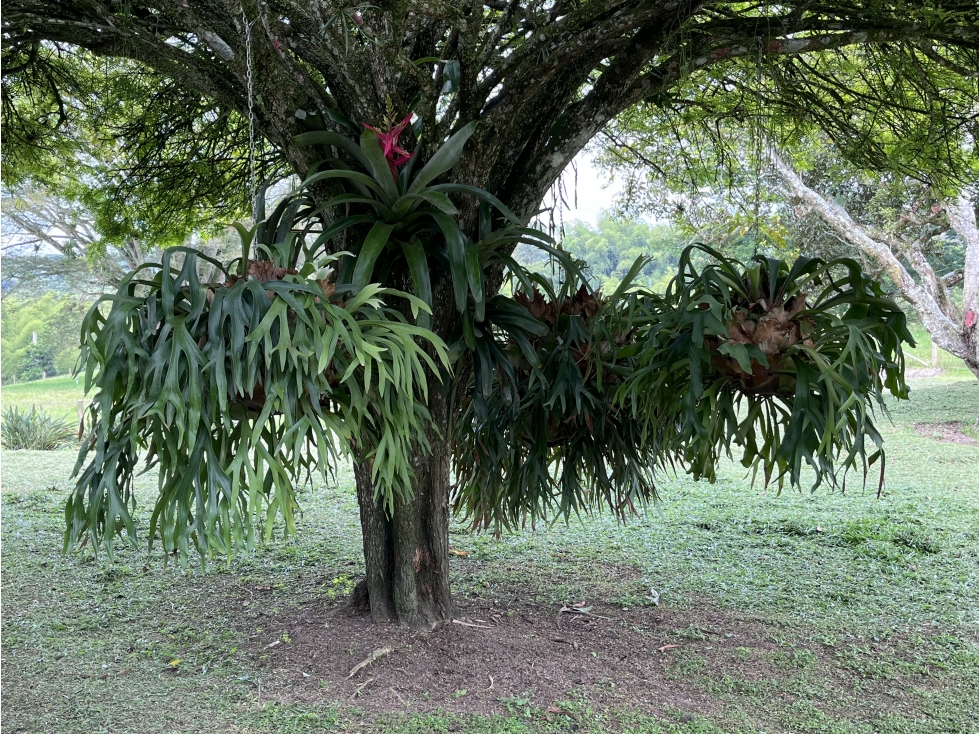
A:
[408,219]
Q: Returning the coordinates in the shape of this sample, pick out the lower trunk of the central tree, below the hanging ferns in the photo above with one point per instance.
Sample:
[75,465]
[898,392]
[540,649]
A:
[407,555]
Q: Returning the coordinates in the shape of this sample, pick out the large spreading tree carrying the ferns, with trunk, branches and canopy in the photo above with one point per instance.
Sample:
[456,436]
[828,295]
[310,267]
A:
[541,78]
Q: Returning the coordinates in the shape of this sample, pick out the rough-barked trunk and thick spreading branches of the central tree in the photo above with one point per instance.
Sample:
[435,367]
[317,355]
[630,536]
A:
[541,77]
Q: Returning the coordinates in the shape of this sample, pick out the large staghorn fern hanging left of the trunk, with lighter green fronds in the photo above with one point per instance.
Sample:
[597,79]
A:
[235,391]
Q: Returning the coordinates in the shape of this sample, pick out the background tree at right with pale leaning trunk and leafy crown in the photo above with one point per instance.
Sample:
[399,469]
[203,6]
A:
[918,232]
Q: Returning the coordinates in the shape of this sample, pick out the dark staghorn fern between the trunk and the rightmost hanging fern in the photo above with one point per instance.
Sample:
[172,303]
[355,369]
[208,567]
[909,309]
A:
[539,435]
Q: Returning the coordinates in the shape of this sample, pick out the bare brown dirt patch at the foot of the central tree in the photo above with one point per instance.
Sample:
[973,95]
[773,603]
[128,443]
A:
[492,658]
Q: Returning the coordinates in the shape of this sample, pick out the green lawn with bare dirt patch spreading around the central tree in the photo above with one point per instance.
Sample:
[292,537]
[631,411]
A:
[777,613]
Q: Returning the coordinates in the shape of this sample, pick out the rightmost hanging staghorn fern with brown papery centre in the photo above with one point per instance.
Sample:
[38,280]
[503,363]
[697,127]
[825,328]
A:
[783,362]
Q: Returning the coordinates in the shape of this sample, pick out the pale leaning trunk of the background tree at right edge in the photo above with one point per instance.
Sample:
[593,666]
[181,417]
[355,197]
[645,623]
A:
[951,328]
